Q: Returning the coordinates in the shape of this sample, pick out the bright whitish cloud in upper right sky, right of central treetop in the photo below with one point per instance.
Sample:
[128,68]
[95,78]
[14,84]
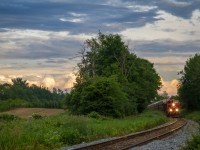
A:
[179,30]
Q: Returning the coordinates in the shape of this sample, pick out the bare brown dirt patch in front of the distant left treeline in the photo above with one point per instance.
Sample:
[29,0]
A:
[27,112]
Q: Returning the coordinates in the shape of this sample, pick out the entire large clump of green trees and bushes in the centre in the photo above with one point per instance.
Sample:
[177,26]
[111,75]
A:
[111,80]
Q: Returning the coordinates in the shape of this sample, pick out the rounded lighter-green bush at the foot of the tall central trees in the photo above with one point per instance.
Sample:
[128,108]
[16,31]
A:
[102,95]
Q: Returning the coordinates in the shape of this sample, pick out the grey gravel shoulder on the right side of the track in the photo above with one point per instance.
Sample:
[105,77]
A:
[173,142]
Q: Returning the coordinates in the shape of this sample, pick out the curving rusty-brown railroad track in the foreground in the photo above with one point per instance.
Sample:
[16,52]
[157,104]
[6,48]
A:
[132,140]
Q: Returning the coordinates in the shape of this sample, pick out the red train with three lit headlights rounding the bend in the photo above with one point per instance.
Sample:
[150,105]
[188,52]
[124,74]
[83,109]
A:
[170,106]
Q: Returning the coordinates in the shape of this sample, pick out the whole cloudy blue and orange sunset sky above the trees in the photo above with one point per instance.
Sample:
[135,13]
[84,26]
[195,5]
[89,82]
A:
[40,39]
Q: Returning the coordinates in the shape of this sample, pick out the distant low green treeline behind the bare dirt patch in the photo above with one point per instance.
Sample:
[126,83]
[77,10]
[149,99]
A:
[20,94]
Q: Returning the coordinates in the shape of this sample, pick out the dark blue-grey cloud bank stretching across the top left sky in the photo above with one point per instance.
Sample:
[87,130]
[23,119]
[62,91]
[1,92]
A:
[67,15]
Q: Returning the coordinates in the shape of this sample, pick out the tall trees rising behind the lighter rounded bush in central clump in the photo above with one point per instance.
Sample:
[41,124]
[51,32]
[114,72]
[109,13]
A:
[107,56]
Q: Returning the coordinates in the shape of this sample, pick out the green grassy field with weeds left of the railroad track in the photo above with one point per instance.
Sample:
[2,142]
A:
[53,132]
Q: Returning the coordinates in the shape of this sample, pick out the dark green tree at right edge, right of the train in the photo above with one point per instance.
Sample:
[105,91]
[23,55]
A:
[189,89]
